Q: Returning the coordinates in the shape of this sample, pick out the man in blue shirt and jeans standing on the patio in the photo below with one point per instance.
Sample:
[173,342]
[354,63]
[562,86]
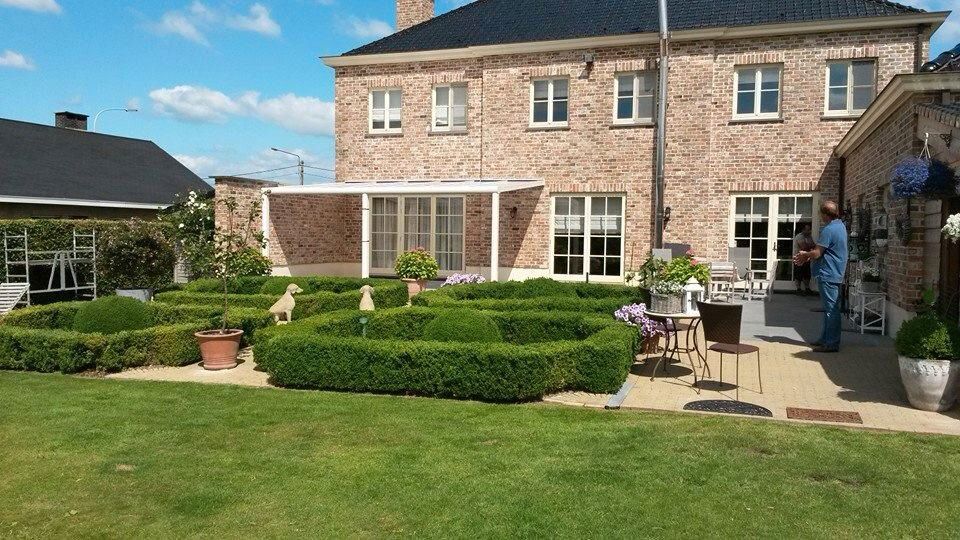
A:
[829,266]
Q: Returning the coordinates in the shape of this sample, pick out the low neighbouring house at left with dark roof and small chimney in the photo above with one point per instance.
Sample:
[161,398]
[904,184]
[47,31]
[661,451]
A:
[68,172]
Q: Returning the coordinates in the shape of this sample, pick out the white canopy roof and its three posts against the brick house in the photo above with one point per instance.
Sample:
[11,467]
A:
[493,187]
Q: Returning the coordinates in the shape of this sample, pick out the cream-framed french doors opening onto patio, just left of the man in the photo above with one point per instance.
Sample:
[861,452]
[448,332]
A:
[767,223]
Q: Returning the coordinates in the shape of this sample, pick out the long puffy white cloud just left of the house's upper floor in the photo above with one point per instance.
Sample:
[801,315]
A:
[299,114]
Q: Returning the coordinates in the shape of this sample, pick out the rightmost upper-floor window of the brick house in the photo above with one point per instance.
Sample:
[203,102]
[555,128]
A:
[851,86]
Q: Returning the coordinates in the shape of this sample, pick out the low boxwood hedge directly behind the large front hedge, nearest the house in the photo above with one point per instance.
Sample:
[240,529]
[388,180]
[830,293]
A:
[539,294]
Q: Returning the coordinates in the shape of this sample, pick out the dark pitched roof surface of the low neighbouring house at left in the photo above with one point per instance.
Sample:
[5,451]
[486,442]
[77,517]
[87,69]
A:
[49,162]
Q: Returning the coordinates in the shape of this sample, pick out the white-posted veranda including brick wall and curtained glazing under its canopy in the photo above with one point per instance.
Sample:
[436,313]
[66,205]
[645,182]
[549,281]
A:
[394,216]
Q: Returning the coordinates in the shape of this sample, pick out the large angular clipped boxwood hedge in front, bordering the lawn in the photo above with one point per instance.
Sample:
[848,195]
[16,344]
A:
[544,352]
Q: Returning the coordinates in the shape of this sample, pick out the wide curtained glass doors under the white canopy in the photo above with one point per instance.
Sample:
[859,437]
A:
[400,223]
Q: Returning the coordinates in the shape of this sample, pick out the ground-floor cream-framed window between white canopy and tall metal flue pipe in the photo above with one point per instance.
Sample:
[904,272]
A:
[587,236]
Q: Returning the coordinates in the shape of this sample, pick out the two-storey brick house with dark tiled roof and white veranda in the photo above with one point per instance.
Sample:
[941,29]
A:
[516,138]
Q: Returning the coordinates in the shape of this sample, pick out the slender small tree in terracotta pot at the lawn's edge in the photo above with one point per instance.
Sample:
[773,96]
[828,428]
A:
[233,253]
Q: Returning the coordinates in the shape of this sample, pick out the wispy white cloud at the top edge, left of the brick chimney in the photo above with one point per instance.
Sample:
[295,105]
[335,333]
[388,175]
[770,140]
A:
[198,19]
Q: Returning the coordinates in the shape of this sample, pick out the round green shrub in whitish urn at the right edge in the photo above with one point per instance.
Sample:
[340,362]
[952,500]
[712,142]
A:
[929,354]
